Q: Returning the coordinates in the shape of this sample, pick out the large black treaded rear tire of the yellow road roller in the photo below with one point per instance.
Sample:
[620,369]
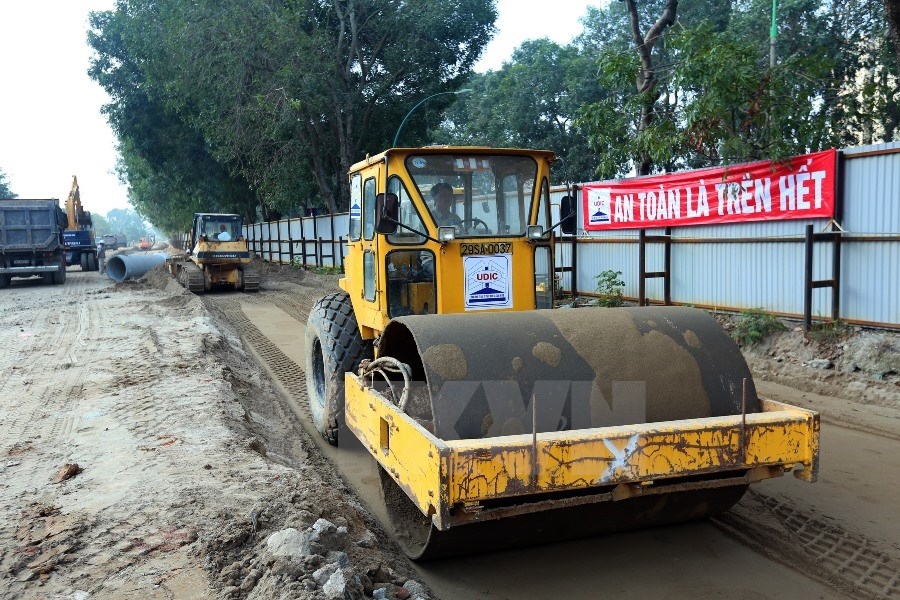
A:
[333,347]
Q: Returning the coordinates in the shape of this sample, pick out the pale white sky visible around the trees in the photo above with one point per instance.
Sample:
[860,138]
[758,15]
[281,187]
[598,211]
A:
[51,127]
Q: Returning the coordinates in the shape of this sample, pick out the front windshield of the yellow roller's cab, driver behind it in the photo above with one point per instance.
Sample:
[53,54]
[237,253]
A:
[479,194]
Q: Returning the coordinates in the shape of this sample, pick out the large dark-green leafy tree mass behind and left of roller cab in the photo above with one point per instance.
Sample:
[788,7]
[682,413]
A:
[266,104]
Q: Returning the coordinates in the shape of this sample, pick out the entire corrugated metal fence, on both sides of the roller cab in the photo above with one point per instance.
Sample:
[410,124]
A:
[815,269]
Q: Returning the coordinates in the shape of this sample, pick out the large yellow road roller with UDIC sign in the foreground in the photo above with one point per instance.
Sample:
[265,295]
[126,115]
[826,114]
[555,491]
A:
[497,420]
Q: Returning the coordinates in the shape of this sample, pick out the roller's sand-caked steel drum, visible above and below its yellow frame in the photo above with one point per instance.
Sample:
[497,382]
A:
[504,374]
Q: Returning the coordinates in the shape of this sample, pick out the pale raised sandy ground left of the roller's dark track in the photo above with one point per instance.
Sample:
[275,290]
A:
[129,464]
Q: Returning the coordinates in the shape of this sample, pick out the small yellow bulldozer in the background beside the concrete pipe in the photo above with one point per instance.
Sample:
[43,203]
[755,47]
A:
[219,257]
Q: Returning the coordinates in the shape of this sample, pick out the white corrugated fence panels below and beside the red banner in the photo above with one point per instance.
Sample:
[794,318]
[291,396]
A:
[769,273]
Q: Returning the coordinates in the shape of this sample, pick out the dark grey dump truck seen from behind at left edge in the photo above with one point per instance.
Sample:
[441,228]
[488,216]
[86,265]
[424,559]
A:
[31,240]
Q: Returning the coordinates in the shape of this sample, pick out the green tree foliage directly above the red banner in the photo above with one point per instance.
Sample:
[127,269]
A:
[717,99]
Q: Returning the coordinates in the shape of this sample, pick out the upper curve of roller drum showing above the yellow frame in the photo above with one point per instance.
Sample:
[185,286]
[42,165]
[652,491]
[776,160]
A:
[485,373]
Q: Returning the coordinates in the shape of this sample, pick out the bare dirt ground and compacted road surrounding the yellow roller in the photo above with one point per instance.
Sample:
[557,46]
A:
[184,415]
